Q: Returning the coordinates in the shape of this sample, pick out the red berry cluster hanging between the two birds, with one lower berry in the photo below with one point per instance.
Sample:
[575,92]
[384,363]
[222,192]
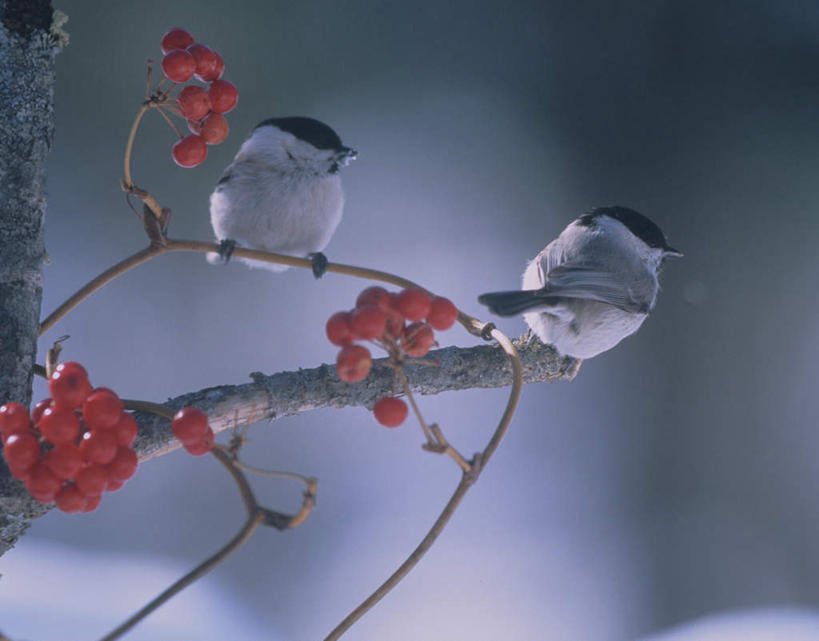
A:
[381,317]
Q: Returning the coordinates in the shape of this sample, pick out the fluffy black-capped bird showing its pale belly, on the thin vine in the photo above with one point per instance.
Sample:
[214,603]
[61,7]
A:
[282,192]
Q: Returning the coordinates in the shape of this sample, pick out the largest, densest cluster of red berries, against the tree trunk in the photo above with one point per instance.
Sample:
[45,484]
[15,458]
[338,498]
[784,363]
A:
[74,446]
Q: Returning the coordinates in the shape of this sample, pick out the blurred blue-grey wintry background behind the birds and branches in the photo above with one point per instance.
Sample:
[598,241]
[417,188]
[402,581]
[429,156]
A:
[674,478]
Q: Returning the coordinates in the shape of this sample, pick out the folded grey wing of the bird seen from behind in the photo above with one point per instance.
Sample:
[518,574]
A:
[591,283]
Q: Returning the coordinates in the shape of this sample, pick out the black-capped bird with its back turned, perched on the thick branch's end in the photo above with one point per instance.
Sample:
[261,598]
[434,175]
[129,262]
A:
[593,285]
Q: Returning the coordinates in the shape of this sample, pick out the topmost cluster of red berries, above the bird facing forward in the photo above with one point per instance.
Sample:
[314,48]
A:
[202,108]
